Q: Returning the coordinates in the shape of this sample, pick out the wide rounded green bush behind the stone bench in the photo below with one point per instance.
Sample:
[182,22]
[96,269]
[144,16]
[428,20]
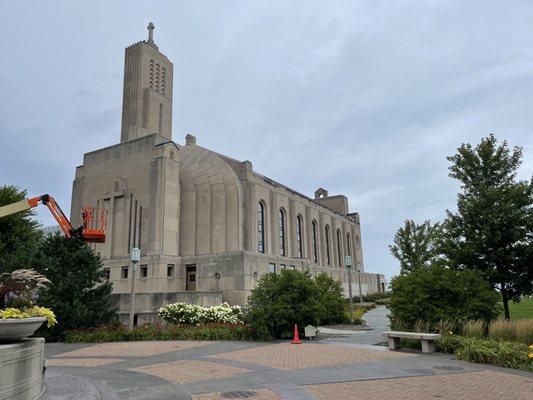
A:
[439,293]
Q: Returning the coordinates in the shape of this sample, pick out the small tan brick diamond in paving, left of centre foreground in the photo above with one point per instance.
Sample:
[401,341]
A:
[190,371]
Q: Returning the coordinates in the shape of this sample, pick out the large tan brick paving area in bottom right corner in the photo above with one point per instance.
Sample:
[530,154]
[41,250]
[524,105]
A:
[486,385]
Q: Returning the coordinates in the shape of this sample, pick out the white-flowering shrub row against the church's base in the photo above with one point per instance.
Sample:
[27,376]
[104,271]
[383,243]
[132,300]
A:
[192,314]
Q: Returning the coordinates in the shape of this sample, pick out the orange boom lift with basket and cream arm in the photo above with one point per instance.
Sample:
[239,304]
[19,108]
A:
[86,232]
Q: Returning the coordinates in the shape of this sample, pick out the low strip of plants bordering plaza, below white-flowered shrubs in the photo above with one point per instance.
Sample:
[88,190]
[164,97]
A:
[115,333]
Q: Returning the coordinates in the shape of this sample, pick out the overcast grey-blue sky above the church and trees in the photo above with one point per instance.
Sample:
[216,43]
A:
[363,98]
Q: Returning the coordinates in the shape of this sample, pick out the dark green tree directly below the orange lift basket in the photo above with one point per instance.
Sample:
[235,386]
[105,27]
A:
[78,294]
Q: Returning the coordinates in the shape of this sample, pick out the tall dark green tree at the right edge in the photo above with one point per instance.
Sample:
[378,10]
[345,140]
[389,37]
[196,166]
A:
[492,230]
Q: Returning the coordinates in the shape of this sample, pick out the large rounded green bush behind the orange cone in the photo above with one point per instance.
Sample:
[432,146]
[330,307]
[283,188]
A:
[281,300]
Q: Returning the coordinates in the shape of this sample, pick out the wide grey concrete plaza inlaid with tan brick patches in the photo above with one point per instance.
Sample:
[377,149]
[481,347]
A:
[325,369]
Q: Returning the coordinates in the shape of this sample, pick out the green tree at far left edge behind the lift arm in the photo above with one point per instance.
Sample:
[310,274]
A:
[19,233]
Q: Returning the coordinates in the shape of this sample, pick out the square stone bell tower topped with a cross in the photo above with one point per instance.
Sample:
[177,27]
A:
[147,95]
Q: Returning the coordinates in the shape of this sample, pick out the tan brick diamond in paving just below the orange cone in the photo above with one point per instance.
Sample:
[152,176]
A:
[287,356]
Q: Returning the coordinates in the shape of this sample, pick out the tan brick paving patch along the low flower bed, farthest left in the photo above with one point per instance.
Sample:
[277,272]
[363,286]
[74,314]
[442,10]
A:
[134,349]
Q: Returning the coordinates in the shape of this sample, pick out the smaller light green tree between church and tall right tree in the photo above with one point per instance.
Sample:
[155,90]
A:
[415,246]
